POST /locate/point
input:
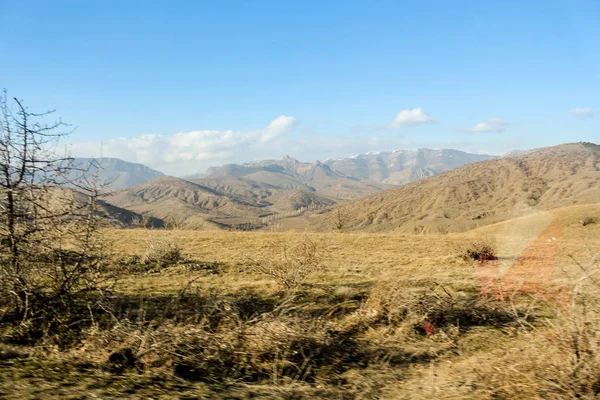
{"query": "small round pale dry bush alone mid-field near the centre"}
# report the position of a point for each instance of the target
(291, 262)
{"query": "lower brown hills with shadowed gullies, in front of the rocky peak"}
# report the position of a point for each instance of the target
(229, 203)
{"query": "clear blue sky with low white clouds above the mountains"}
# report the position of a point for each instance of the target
(181, 85)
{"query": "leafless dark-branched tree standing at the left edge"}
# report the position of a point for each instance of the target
(49, 245)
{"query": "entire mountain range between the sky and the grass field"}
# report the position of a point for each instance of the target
(419, 190)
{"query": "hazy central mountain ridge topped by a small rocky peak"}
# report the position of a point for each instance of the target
(242, 195)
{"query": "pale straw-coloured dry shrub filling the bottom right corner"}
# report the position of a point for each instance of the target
(559, 361)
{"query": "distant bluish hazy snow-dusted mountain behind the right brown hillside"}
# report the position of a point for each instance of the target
(403, 166)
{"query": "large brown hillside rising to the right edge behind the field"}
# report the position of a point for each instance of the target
(481, 193)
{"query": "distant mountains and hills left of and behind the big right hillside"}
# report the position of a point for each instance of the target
(252, 195)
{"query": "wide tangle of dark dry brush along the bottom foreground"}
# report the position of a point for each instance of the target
(225, 344)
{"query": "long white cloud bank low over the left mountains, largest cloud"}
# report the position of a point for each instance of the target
(191, 152)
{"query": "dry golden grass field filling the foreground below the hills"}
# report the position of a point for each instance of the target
(329, 315)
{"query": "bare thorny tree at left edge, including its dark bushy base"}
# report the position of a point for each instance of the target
(53, 264)
